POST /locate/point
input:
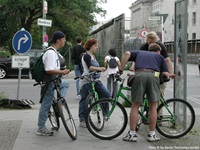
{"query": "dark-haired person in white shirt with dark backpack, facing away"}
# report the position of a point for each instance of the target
(112, 63)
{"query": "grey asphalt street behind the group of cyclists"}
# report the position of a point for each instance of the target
(9, 87)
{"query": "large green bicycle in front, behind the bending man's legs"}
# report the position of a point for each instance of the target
(177, 120)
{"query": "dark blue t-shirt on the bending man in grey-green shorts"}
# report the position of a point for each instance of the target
(148, 60)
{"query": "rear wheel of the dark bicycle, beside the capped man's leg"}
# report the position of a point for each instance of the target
(54, 117)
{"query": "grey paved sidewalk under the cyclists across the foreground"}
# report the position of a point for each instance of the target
(18, 132)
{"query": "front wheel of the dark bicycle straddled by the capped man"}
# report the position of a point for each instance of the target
(67, 118)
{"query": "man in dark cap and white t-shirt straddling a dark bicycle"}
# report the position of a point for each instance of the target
(52, 64)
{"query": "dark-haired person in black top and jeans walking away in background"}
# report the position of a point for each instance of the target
(77, 53)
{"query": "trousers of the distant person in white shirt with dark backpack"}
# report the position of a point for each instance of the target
(112, 85)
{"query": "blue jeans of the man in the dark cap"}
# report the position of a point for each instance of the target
(47, 102)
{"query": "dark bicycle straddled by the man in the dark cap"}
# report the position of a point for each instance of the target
(60, 109)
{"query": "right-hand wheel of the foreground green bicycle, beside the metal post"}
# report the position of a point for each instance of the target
(178, 120)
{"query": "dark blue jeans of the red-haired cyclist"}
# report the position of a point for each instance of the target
(85, 90)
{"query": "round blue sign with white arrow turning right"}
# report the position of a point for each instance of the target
(22, 41)
